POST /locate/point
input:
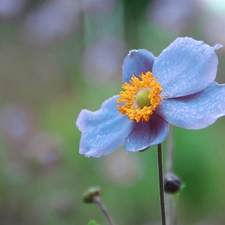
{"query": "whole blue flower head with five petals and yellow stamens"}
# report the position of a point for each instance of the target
(177, 88)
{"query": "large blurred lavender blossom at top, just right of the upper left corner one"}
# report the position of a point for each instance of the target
(52, 20)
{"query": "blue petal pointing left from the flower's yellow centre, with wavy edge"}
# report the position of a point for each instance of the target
(103, 131)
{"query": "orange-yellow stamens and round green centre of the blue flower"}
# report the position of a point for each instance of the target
(140, 97)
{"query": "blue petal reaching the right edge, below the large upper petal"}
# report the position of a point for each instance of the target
(196, 111)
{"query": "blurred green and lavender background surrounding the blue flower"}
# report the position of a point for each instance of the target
(57, 57)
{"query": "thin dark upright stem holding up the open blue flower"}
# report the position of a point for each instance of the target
(161, 190)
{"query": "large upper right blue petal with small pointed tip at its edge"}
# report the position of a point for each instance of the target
(186, 67)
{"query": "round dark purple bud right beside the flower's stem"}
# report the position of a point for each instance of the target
(172, 183)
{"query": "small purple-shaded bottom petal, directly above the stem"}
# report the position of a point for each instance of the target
(146, 134)
